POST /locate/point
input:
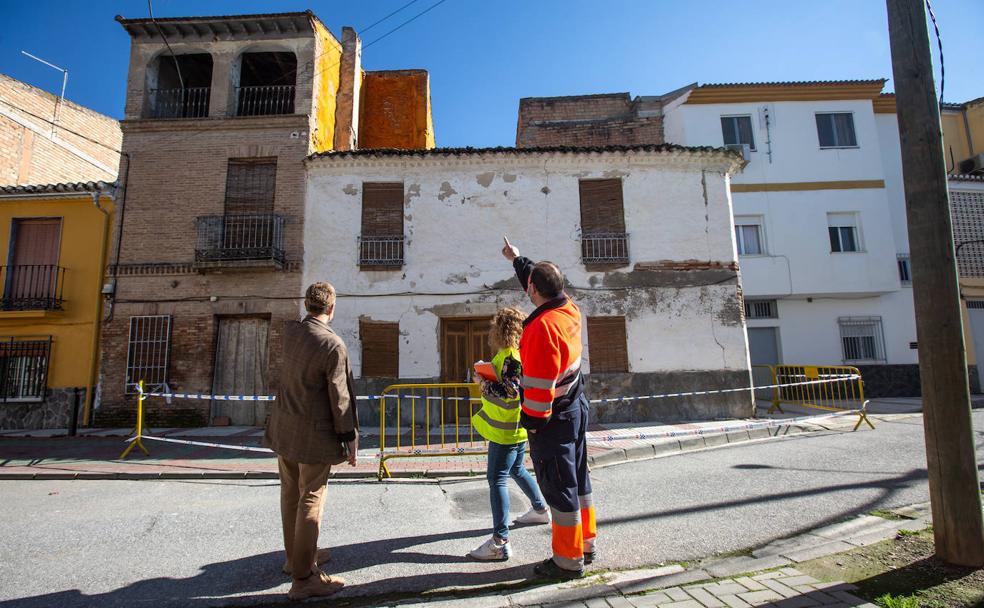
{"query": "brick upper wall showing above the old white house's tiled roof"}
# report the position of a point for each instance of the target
(588, 120)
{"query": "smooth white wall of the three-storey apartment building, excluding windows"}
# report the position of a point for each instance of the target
(813, 286)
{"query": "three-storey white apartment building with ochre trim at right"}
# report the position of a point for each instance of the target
(819, 219)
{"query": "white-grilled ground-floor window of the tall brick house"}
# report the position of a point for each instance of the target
(148, 352)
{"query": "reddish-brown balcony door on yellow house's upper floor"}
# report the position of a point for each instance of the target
(32, 274)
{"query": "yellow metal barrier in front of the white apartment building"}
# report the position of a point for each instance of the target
(833, 388)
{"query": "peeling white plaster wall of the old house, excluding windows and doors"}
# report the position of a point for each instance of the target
(458, 206)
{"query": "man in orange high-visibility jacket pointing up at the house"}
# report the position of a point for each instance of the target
(555, 412)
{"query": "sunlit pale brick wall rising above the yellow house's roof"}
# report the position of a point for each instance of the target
(29, 157)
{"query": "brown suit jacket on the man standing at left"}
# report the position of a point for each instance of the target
(315, 408)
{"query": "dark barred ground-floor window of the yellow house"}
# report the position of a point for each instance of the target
(24, 369)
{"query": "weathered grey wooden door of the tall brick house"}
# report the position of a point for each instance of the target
(241, 369)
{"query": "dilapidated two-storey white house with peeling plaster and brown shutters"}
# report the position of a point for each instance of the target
(411, 241)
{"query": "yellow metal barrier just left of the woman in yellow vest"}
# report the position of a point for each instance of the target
(432, 409)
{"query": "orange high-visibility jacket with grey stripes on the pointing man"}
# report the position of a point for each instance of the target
(551, 353)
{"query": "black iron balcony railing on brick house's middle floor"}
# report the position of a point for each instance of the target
(245, 237)
